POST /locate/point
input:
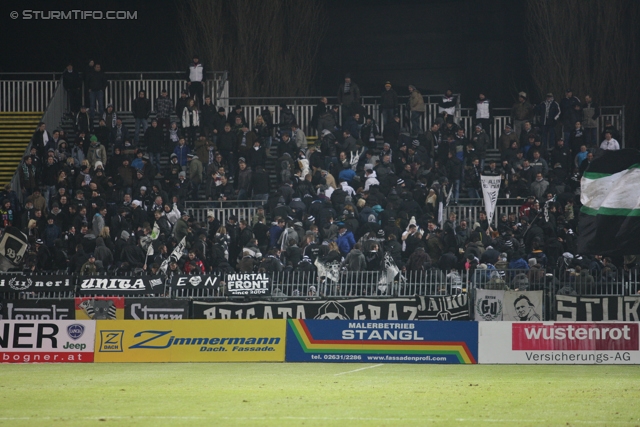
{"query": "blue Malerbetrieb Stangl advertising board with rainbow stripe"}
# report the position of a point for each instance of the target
(381, 341)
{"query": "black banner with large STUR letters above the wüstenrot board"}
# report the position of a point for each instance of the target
(597, 309)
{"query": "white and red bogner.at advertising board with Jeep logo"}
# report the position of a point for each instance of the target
(46, 341)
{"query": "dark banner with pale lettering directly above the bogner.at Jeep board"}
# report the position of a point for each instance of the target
(41, 309)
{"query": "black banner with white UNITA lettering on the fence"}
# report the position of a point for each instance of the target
(131, 285)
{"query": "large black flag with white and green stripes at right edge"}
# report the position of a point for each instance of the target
(610, 214)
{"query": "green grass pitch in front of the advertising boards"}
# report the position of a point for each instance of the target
(275, 394)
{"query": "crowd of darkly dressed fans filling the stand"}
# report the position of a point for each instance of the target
(90, 204)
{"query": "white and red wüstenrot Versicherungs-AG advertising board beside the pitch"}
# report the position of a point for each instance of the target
(561, 343)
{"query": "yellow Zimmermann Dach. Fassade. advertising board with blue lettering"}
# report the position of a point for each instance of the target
(190, 341)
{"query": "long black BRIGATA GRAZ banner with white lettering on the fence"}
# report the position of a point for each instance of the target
(423, 308)
